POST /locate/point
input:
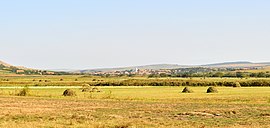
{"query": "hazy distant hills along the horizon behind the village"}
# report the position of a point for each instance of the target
(6, 68)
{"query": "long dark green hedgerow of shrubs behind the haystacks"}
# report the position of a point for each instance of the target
(175, 82)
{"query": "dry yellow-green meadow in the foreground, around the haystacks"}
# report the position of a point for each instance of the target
(120, 107)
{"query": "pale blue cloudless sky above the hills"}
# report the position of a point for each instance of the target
(86, 34)
